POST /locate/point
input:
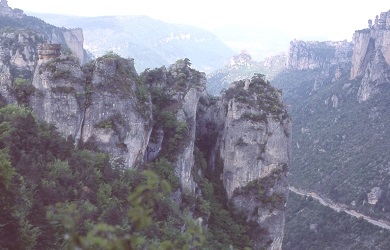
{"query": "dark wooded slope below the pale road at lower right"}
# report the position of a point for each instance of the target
(310, 225)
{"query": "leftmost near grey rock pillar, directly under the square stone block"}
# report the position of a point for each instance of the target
(59, 93)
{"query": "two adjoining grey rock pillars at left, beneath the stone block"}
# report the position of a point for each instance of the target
(98, 106)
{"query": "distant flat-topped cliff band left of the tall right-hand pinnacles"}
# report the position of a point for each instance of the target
(311, 54)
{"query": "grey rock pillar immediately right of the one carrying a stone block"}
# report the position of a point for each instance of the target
(115, 119)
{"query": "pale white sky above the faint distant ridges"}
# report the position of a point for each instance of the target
(329, 19)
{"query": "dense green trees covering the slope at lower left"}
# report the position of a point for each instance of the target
(54, 191)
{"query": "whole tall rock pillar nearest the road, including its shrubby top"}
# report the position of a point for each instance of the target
(253, 144)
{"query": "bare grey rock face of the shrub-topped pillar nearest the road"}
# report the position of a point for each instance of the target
(256, 156)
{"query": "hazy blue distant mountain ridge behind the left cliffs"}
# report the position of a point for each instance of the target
(150, 42)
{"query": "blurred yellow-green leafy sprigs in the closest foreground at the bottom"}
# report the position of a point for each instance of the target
(143, 201)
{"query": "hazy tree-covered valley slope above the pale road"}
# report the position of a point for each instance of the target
(339, 144)
